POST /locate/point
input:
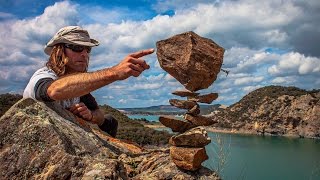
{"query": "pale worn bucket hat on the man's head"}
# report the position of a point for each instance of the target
(70, 35)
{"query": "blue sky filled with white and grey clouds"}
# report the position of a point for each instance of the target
(267, 42)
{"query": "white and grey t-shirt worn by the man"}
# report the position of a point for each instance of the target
(45, 72)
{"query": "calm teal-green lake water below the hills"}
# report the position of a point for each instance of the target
(256, 157)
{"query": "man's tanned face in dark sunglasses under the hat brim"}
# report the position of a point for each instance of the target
(78, 61)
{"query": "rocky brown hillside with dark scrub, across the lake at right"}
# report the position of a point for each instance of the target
(275, 110)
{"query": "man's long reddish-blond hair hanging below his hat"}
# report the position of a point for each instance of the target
(58, 60)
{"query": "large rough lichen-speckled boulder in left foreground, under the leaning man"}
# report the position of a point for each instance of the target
(38, 143)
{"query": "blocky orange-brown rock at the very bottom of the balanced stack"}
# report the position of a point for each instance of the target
(188, 158)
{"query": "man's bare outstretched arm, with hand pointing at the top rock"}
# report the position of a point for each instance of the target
(77, 85)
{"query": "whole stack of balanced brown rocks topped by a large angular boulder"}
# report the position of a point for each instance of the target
(195, 62)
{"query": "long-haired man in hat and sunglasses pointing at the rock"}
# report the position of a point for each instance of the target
(65, 78)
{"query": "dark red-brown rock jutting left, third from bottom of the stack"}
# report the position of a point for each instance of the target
(175, 124)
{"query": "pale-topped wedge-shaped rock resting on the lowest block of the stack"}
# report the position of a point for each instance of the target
(196, 137)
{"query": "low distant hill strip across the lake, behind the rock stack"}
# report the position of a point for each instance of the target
(167, 109)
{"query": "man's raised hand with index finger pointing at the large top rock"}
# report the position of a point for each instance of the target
(132, 65)
